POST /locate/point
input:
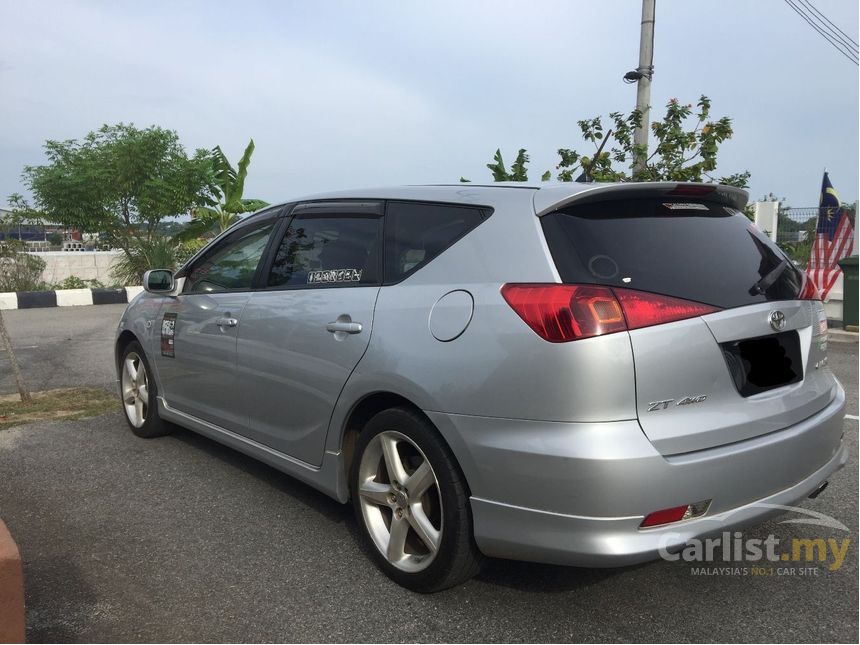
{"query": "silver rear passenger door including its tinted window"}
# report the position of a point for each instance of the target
(305, 330)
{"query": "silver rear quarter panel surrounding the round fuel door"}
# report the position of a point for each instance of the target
(497, 367)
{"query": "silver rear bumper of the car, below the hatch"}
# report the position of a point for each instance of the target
(576, 494)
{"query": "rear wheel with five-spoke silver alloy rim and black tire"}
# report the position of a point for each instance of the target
(388, 513)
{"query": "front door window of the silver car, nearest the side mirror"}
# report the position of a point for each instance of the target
(231, 265)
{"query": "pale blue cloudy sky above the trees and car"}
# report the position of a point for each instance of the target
(340, 95)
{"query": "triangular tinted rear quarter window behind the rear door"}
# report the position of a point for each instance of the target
(416, 233)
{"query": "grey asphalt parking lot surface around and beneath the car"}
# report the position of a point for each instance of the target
(180, 539)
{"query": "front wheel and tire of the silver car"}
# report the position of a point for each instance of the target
(139, 394)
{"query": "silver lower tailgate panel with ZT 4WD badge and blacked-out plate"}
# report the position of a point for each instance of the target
(729, 376)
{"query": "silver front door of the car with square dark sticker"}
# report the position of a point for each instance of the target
(197, 361)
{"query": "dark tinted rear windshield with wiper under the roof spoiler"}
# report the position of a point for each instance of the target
(697, 251)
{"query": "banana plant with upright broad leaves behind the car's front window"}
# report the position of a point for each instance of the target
(230, 185)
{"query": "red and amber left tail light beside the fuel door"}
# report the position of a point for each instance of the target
(560, 313)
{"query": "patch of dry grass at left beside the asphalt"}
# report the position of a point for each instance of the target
(53, 405)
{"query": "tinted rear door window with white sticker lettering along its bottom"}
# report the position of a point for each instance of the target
(327, 251)
